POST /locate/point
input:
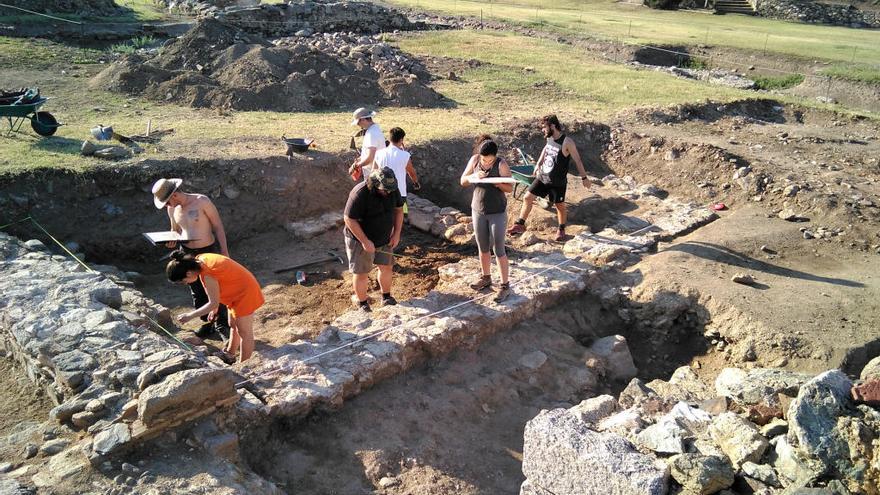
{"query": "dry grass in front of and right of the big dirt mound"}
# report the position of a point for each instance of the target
(523, 78)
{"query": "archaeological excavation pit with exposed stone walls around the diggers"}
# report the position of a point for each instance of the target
(431, 396)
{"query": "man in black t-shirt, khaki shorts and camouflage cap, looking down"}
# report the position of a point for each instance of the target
(373, 222)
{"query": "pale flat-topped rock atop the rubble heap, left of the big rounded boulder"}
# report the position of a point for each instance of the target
(755, 385)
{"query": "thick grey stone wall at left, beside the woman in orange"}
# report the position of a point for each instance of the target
(88, 342)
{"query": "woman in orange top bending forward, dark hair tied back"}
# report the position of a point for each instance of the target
(227, 283)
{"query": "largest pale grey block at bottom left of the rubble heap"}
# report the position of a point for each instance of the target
(563, 455)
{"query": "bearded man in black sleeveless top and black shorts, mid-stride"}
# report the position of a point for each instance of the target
(551, 175)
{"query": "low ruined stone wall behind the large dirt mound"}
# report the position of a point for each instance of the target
(304, 16)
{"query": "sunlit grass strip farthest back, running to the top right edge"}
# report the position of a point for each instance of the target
(636, 24)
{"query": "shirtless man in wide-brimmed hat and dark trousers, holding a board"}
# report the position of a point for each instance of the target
(195, 217)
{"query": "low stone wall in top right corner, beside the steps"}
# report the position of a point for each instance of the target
(818, 13)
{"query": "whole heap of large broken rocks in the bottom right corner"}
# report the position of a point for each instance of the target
(758, 431)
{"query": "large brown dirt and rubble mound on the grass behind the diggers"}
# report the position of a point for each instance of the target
(216, 65)
